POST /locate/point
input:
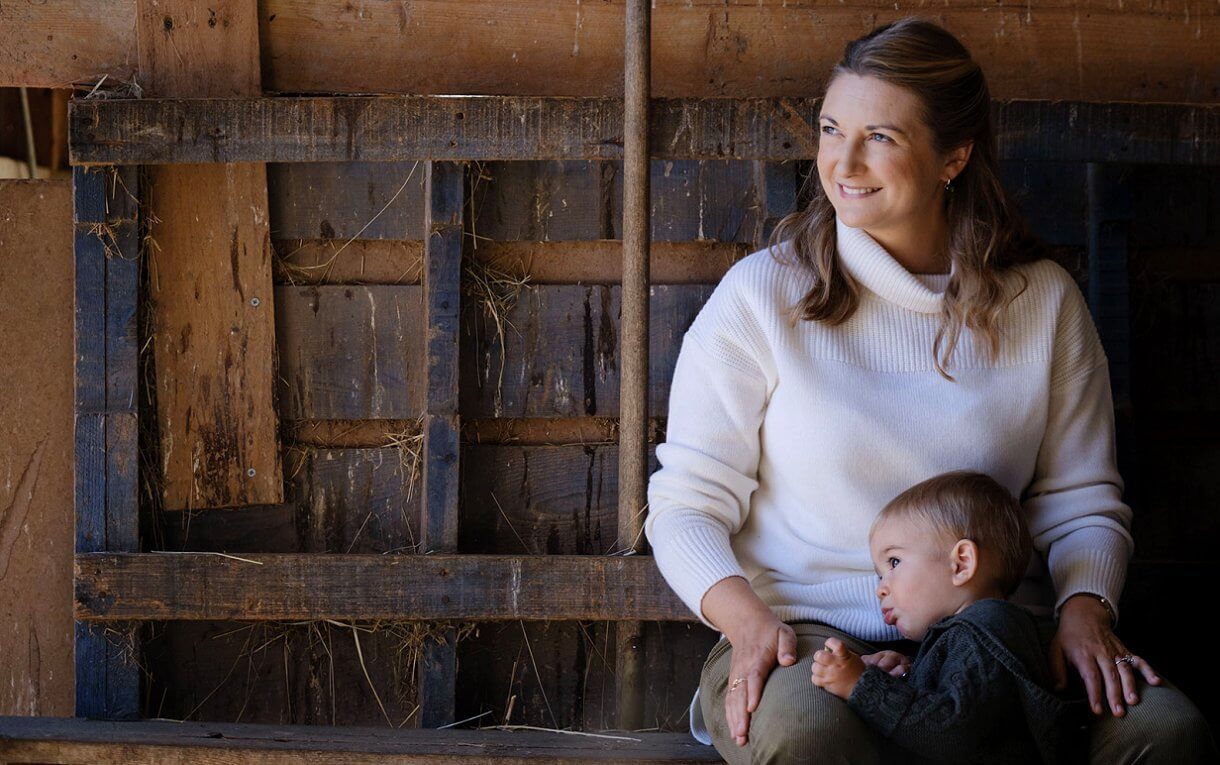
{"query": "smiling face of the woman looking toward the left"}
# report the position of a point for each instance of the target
(870, 137)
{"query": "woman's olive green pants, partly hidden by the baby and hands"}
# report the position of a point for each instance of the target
(800, 723)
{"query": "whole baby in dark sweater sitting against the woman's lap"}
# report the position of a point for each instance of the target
(949, 552)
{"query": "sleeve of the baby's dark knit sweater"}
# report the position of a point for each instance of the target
(950, 720)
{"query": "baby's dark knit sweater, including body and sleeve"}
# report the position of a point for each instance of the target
(977, 692)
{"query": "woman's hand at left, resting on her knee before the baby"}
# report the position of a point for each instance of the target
(759, 641)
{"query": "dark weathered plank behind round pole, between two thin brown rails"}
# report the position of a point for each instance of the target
(559, 357)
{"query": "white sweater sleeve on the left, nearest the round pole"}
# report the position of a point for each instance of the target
(709, 462)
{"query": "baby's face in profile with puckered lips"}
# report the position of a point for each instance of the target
(916, 567)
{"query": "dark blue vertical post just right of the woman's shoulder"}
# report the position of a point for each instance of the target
(1110, 295)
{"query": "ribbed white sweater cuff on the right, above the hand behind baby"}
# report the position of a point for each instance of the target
(1090, 561)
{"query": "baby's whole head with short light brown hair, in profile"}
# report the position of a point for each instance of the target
(945, 544)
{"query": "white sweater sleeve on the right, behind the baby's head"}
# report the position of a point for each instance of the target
(1078, 518)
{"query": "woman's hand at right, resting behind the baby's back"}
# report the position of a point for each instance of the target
(1086, 640)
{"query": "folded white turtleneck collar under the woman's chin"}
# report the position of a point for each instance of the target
(874, 267)
